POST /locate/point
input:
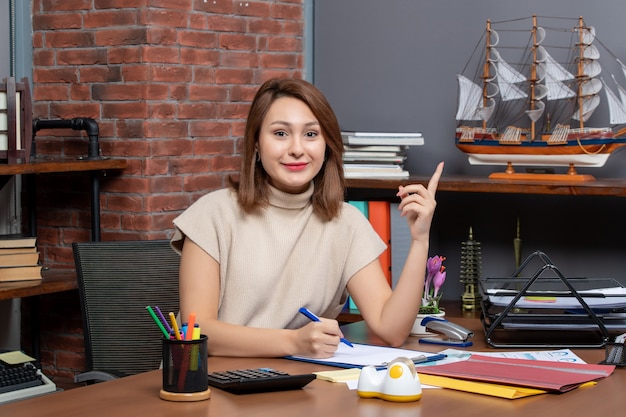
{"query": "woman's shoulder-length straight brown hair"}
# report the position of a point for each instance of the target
(253, 183)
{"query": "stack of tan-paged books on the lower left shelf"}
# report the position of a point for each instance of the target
(19, 258)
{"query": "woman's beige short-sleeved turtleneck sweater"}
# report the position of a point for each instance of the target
(283, 258)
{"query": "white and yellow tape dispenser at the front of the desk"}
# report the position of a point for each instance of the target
(399, 383)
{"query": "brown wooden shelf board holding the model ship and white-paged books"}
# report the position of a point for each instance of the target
(600, 187)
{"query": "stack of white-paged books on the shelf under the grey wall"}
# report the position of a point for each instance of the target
(377, 155)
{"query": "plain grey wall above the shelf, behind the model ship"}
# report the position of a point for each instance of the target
(392, 65)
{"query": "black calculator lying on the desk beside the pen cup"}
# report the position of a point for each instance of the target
(248, 381)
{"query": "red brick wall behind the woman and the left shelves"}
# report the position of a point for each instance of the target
(169, 82)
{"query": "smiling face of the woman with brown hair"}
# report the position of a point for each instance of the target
(291, 145)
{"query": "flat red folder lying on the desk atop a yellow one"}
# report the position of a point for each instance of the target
(546, 375)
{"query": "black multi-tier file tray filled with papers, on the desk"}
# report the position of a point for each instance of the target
(550, 311)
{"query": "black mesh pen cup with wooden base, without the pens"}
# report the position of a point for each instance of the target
(185, 370)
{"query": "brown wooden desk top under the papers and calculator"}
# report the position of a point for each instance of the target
(139, 395)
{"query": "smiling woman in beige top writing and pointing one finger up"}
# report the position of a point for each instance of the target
(281, 237)
